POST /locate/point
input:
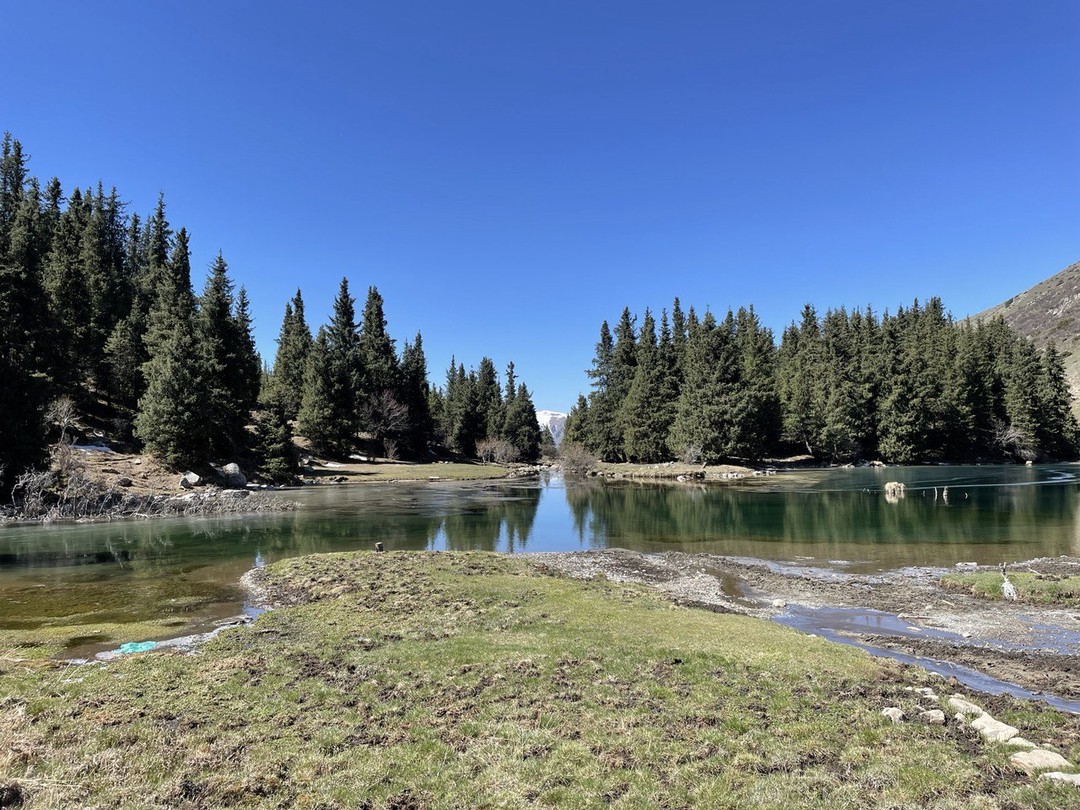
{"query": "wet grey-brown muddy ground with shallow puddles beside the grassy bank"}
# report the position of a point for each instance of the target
(1033, 646)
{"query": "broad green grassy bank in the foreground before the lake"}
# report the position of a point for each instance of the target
(474, 681)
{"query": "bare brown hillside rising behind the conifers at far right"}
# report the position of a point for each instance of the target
(1049, 313)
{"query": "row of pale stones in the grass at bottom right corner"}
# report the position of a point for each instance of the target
(1031, 759)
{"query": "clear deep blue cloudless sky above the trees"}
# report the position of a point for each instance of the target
(510, 174)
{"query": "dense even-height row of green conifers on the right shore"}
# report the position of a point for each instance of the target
(907, 388)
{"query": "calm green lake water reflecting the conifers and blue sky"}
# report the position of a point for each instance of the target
(190, 569)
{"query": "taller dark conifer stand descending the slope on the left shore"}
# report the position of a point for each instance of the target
(98, 307)
